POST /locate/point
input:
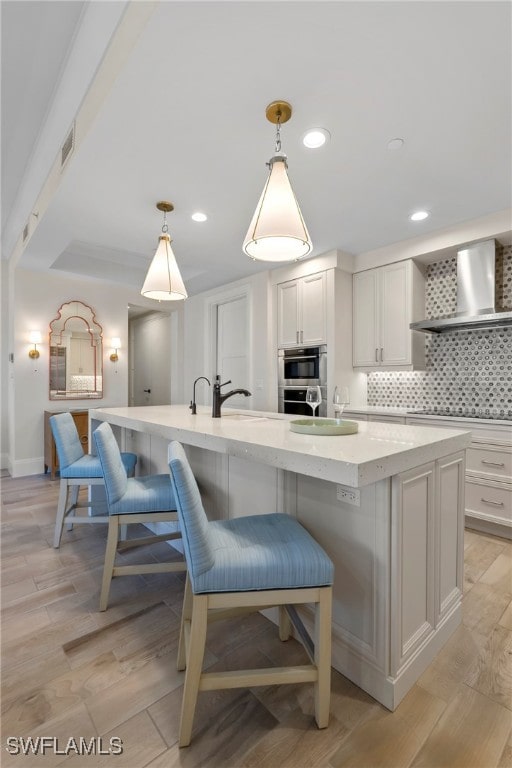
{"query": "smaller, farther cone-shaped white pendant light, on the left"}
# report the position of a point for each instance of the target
(163, 280)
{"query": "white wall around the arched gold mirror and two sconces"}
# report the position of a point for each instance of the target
(37, 297)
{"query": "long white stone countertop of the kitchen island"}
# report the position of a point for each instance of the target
(377, 451)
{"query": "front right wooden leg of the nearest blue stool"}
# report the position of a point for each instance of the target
(323, 656)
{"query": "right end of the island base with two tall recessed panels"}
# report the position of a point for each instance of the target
(427, 528)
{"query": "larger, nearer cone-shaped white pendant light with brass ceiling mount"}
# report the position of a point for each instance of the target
(277, 231)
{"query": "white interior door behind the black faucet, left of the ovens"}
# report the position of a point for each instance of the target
(233, 348)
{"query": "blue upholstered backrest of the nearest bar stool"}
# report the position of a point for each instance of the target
(193, 521)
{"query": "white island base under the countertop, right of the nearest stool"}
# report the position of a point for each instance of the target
(398, 560)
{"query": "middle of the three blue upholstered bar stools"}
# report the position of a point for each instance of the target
(148, 499)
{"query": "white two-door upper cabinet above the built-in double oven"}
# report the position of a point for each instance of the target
(301, 311)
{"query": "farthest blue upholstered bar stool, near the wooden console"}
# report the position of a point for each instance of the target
(77, 469)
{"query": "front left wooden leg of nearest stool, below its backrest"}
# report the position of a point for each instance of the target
(194, 665)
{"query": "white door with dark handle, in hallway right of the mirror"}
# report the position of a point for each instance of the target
(151, 360)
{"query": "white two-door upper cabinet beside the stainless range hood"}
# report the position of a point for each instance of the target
(385, 301)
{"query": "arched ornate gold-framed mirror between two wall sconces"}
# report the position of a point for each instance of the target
(76, 356)
